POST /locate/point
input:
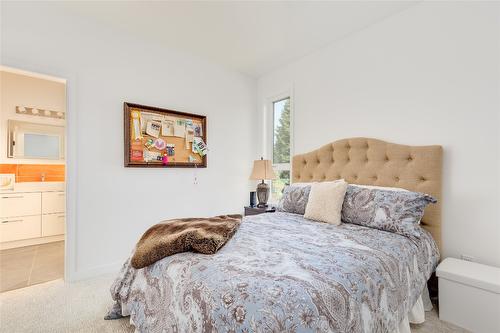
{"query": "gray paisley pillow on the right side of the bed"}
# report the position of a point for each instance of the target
(395, 211)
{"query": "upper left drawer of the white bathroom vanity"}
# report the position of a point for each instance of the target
(20, 204)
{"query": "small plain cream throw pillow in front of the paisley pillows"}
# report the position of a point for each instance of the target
(325, 201)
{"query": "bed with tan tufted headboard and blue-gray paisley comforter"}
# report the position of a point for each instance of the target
(283, 273)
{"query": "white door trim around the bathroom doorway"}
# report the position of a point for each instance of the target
(33, 69)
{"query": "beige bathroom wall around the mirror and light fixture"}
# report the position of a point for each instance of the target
(21, 90)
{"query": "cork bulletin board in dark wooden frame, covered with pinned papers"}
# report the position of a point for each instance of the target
(161, 138)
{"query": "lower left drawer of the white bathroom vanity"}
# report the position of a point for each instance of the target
(17, 228)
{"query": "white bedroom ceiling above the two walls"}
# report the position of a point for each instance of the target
(251, 37)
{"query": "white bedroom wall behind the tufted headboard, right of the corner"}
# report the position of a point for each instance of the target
(428, 75)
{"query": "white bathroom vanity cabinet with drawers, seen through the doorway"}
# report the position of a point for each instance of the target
(32, 215)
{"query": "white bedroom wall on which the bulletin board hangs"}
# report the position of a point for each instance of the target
(104, 68)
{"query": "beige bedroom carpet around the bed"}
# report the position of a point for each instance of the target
(80, 307)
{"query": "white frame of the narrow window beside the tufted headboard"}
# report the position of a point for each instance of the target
(269, 135)
